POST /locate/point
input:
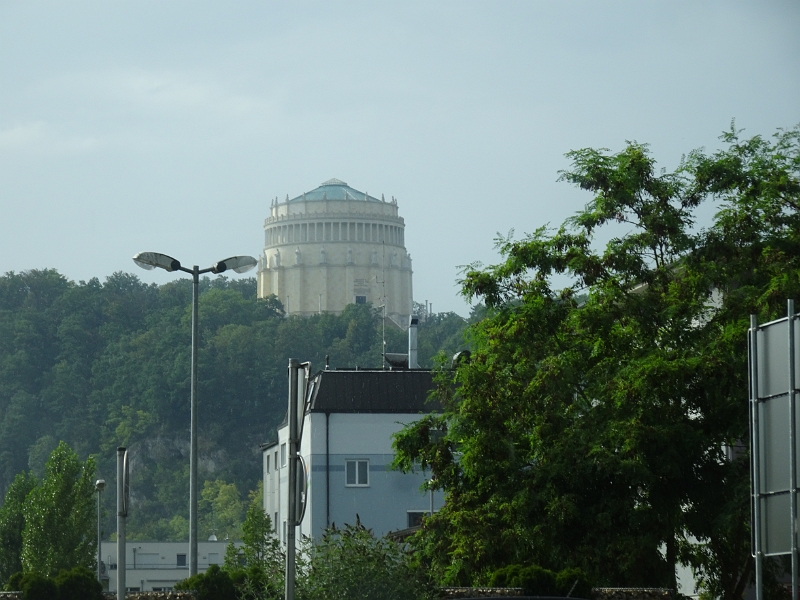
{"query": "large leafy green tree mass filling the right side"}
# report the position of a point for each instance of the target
(602, 420)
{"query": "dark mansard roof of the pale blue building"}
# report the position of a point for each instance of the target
(375, 391)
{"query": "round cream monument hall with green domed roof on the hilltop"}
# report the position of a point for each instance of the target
(335, 246)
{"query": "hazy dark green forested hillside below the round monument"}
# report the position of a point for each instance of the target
(106, 364)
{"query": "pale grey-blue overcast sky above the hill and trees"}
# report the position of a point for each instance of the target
(168, 125)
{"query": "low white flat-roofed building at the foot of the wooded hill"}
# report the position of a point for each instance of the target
(158, 566)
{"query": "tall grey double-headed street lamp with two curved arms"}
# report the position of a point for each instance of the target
(238, 264)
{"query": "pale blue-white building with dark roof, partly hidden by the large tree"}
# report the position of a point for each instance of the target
(347, 449)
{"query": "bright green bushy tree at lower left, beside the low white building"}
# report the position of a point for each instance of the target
(60, 516)
